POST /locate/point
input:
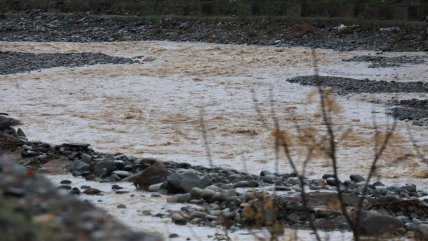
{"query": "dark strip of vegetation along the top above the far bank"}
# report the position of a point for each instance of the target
(373, 9)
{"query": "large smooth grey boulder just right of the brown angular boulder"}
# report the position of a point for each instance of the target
(184, 180)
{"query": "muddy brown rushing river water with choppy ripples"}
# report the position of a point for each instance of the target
(154, 109)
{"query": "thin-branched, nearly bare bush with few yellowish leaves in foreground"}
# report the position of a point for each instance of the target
(322, 142)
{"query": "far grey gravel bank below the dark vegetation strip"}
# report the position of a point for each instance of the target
(37, 26)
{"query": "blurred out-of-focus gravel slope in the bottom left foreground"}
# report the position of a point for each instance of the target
(32, 209)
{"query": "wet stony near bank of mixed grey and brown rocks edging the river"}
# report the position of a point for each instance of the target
(228, 197)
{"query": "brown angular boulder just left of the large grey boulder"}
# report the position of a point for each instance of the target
(155, 173)
